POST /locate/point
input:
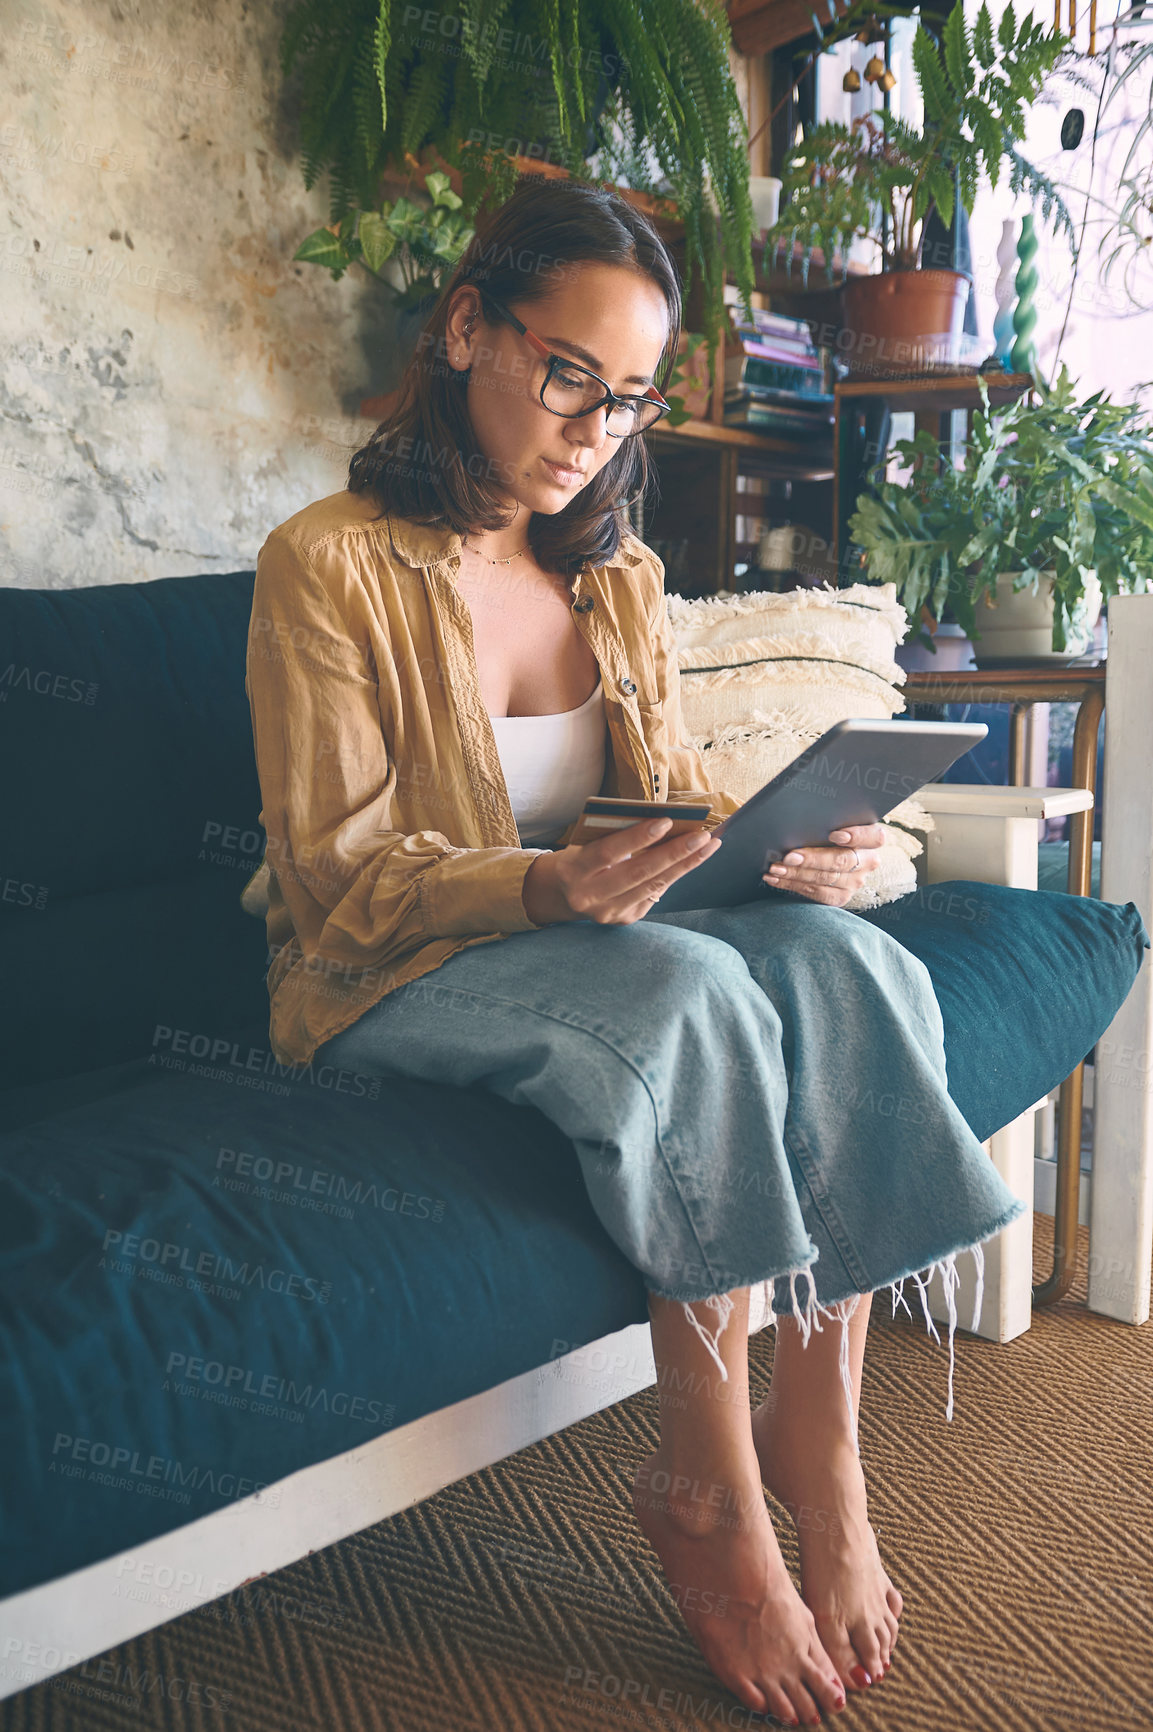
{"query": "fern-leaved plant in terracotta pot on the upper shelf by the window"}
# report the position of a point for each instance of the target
(886, 178)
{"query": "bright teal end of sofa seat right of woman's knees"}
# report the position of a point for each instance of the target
(1027, 981)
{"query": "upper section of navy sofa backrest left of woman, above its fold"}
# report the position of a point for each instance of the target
(126, 737)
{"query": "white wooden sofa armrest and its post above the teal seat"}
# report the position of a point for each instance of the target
(991, 834)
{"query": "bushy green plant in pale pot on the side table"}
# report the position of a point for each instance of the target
(1048, 515)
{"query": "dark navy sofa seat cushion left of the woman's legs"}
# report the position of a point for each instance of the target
(207, 1286)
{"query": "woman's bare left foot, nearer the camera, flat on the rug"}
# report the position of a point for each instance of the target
(726, 1572)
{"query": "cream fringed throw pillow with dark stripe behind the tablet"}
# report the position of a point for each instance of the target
(766, 675)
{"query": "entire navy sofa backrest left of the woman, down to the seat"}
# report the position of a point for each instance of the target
(131, 820)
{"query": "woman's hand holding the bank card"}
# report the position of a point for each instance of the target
(614, 881)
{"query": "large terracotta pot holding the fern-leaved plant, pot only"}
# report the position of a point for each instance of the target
(903, 321)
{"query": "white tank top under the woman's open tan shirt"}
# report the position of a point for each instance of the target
(551, 766)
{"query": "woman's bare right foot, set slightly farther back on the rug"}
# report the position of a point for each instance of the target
(821, 1483)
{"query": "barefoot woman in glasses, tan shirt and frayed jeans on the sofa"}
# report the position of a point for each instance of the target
(446, 661)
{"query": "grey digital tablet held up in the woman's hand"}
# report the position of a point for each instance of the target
(854, 775)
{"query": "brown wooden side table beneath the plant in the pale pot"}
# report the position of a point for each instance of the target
(1021, 688)
